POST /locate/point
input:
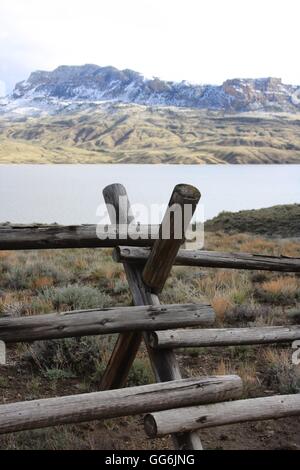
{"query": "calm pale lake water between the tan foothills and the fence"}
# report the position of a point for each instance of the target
(70, 194)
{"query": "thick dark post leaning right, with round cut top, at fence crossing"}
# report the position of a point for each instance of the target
(178, 216)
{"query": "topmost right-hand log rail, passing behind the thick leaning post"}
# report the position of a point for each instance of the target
(214, 259)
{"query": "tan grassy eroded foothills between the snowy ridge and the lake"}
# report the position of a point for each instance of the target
(137, 134)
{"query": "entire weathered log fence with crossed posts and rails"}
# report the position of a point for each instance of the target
(175, 406)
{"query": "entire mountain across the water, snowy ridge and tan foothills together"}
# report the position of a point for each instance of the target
(91, 114)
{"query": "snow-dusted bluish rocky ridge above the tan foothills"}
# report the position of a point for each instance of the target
(69, 87)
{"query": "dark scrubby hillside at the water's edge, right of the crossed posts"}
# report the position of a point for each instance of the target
(277, 221)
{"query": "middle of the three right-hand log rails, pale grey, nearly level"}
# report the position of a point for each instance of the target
(224, 337)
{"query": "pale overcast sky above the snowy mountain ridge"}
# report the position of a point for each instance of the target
(203, 41)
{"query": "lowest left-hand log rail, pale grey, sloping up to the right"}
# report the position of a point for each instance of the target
(110, 404)
